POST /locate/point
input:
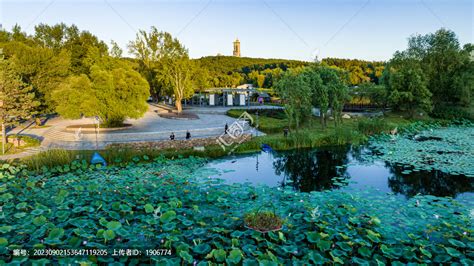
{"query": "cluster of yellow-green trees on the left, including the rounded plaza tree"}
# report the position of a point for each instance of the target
(71, 72)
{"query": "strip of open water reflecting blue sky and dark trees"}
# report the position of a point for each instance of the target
(316, 170)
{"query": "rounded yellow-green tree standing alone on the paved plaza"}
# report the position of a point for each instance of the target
(112, 93)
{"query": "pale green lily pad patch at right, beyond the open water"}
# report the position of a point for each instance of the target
(428, 147)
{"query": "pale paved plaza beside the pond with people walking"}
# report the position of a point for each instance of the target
(151, 127)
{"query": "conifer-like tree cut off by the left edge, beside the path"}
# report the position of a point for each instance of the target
(16, 99)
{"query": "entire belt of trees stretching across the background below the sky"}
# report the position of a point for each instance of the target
(70, 71)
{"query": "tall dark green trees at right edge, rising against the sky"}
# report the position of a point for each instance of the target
(434, 74)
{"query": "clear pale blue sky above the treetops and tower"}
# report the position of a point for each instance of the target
(298, 29)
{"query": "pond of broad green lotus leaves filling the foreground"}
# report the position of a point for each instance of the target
(178, 205)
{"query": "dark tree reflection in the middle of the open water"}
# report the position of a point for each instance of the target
(312, 170)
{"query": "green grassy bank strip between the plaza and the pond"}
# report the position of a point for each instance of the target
(352, 131)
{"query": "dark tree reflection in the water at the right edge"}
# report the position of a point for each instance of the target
(434, 183)
